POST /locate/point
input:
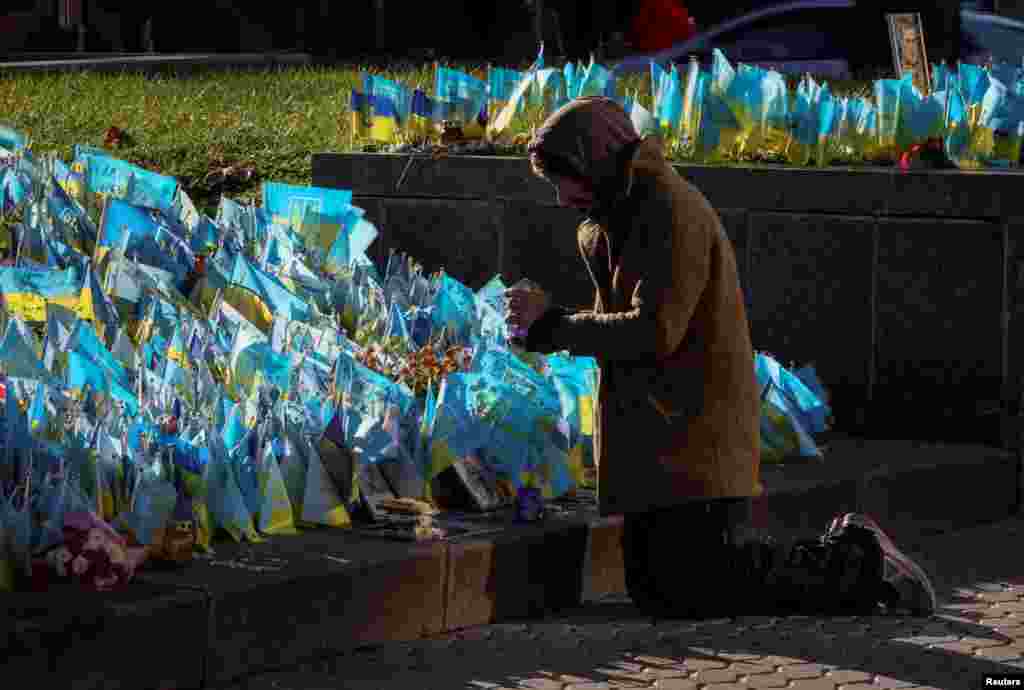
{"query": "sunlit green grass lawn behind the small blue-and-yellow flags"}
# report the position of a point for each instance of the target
(194, 128)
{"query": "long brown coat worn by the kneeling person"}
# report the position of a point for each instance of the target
(677, 413)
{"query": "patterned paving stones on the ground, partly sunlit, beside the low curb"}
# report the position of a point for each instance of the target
(979, 574)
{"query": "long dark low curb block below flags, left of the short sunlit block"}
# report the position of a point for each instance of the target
(317, 593)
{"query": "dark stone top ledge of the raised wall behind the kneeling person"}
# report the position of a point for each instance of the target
(848, 191)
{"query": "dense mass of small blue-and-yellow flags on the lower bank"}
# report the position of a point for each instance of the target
(168, 379)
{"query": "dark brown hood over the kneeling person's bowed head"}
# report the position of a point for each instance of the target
(592, 139)
